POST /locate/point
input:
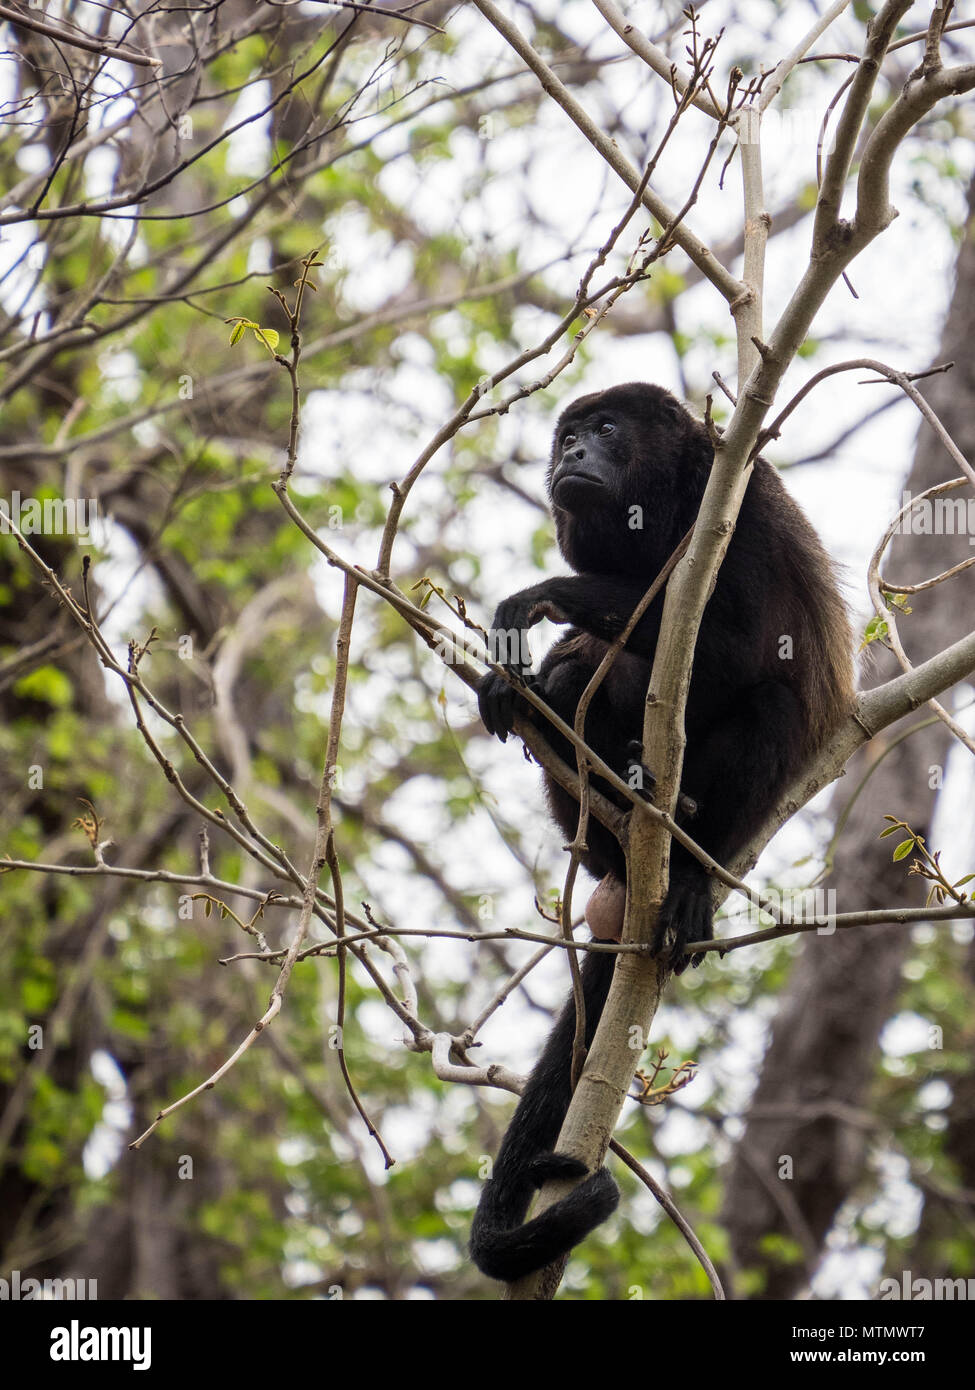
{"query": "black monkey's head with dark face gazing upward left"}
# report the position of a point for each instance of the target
(628, 469)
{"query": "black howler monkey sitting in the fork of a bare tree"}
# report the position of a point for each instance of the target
(773, 675)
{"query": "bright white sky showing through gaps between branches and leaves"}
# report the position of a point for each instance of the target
(903, 283)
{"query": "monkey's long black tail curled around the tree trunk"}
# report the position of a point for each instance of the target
(501, 1245)
